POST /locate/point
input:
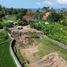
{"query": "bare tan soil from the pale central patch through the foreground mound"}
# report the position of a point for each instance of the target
(50, 60)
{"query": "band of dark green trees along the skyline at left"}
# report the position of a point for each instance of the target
(11, 11)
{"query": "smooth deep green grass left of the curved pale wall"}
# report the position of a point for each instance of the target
(6, 59)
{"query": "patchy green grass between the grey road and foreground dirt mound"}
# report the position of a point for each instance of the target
(47, 47)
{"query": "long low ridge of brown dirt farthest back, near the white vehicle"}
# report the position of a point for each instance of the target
(27, 31)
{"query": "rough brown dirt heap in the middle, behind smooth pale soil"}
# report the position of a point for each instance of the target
(26, 41)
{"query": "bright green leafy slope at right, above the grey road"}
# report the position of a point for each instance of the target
(54, 30)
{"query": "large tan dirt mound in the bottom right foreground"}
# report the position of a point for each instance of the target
(50, 60)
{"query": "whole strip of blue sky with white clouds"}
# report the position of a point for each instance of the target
(34, 3)
